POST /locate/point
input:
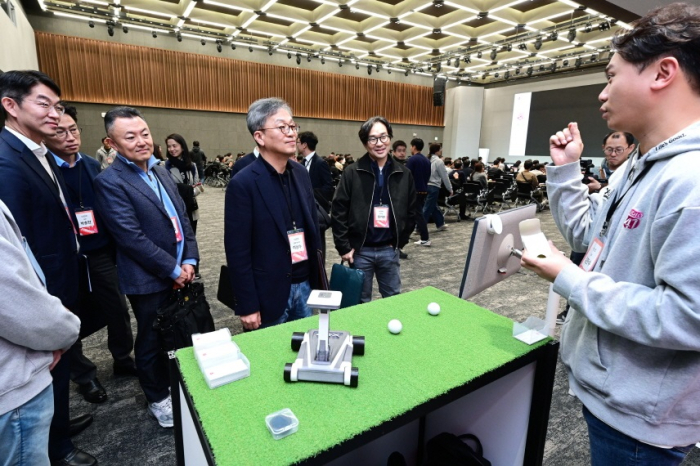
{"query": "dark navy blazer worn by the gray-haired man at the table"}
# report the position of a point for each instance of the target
(257, 246)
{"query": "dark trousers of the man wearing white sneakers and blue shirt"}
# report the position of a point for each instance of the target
(151, 362)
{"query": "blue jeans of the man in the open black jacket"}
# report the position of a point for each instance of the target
(384, 262)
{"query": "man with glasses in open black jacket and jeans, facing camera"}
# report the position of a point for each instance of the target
(374, 210)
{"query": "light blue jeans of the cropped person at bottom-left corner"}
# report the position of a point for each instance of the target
(24, 432)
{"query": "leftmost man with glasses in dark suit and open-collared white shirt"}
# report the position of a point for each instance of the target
(35, 193)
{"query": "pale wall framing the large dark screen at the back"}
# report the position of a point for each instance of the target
(498, 111)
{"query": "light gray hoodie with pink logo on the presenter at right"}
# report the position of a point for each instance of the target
(631, 342)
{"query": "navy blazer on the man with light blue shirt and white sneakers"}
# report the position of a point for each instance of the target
(141, 227)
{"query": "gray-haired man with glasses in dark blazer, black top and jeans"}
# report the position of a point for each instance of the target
(271, 231)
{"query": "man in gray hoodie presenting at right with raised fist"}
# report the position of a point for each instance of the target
(631, 343)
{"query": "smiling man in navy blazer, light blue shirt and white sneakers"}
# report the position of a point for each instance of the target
(156, 247)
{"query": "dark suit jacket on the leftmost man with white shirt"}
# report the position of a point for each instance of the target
(32, 197)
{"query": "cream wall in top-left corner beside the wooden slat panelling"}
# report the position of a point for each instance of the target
(17, 49)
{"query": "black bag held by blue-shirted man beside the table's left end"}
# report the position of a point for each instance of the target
(184, 313)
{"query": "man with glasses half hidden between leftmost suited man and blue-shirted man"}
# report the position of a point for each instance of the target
(99, 286)
